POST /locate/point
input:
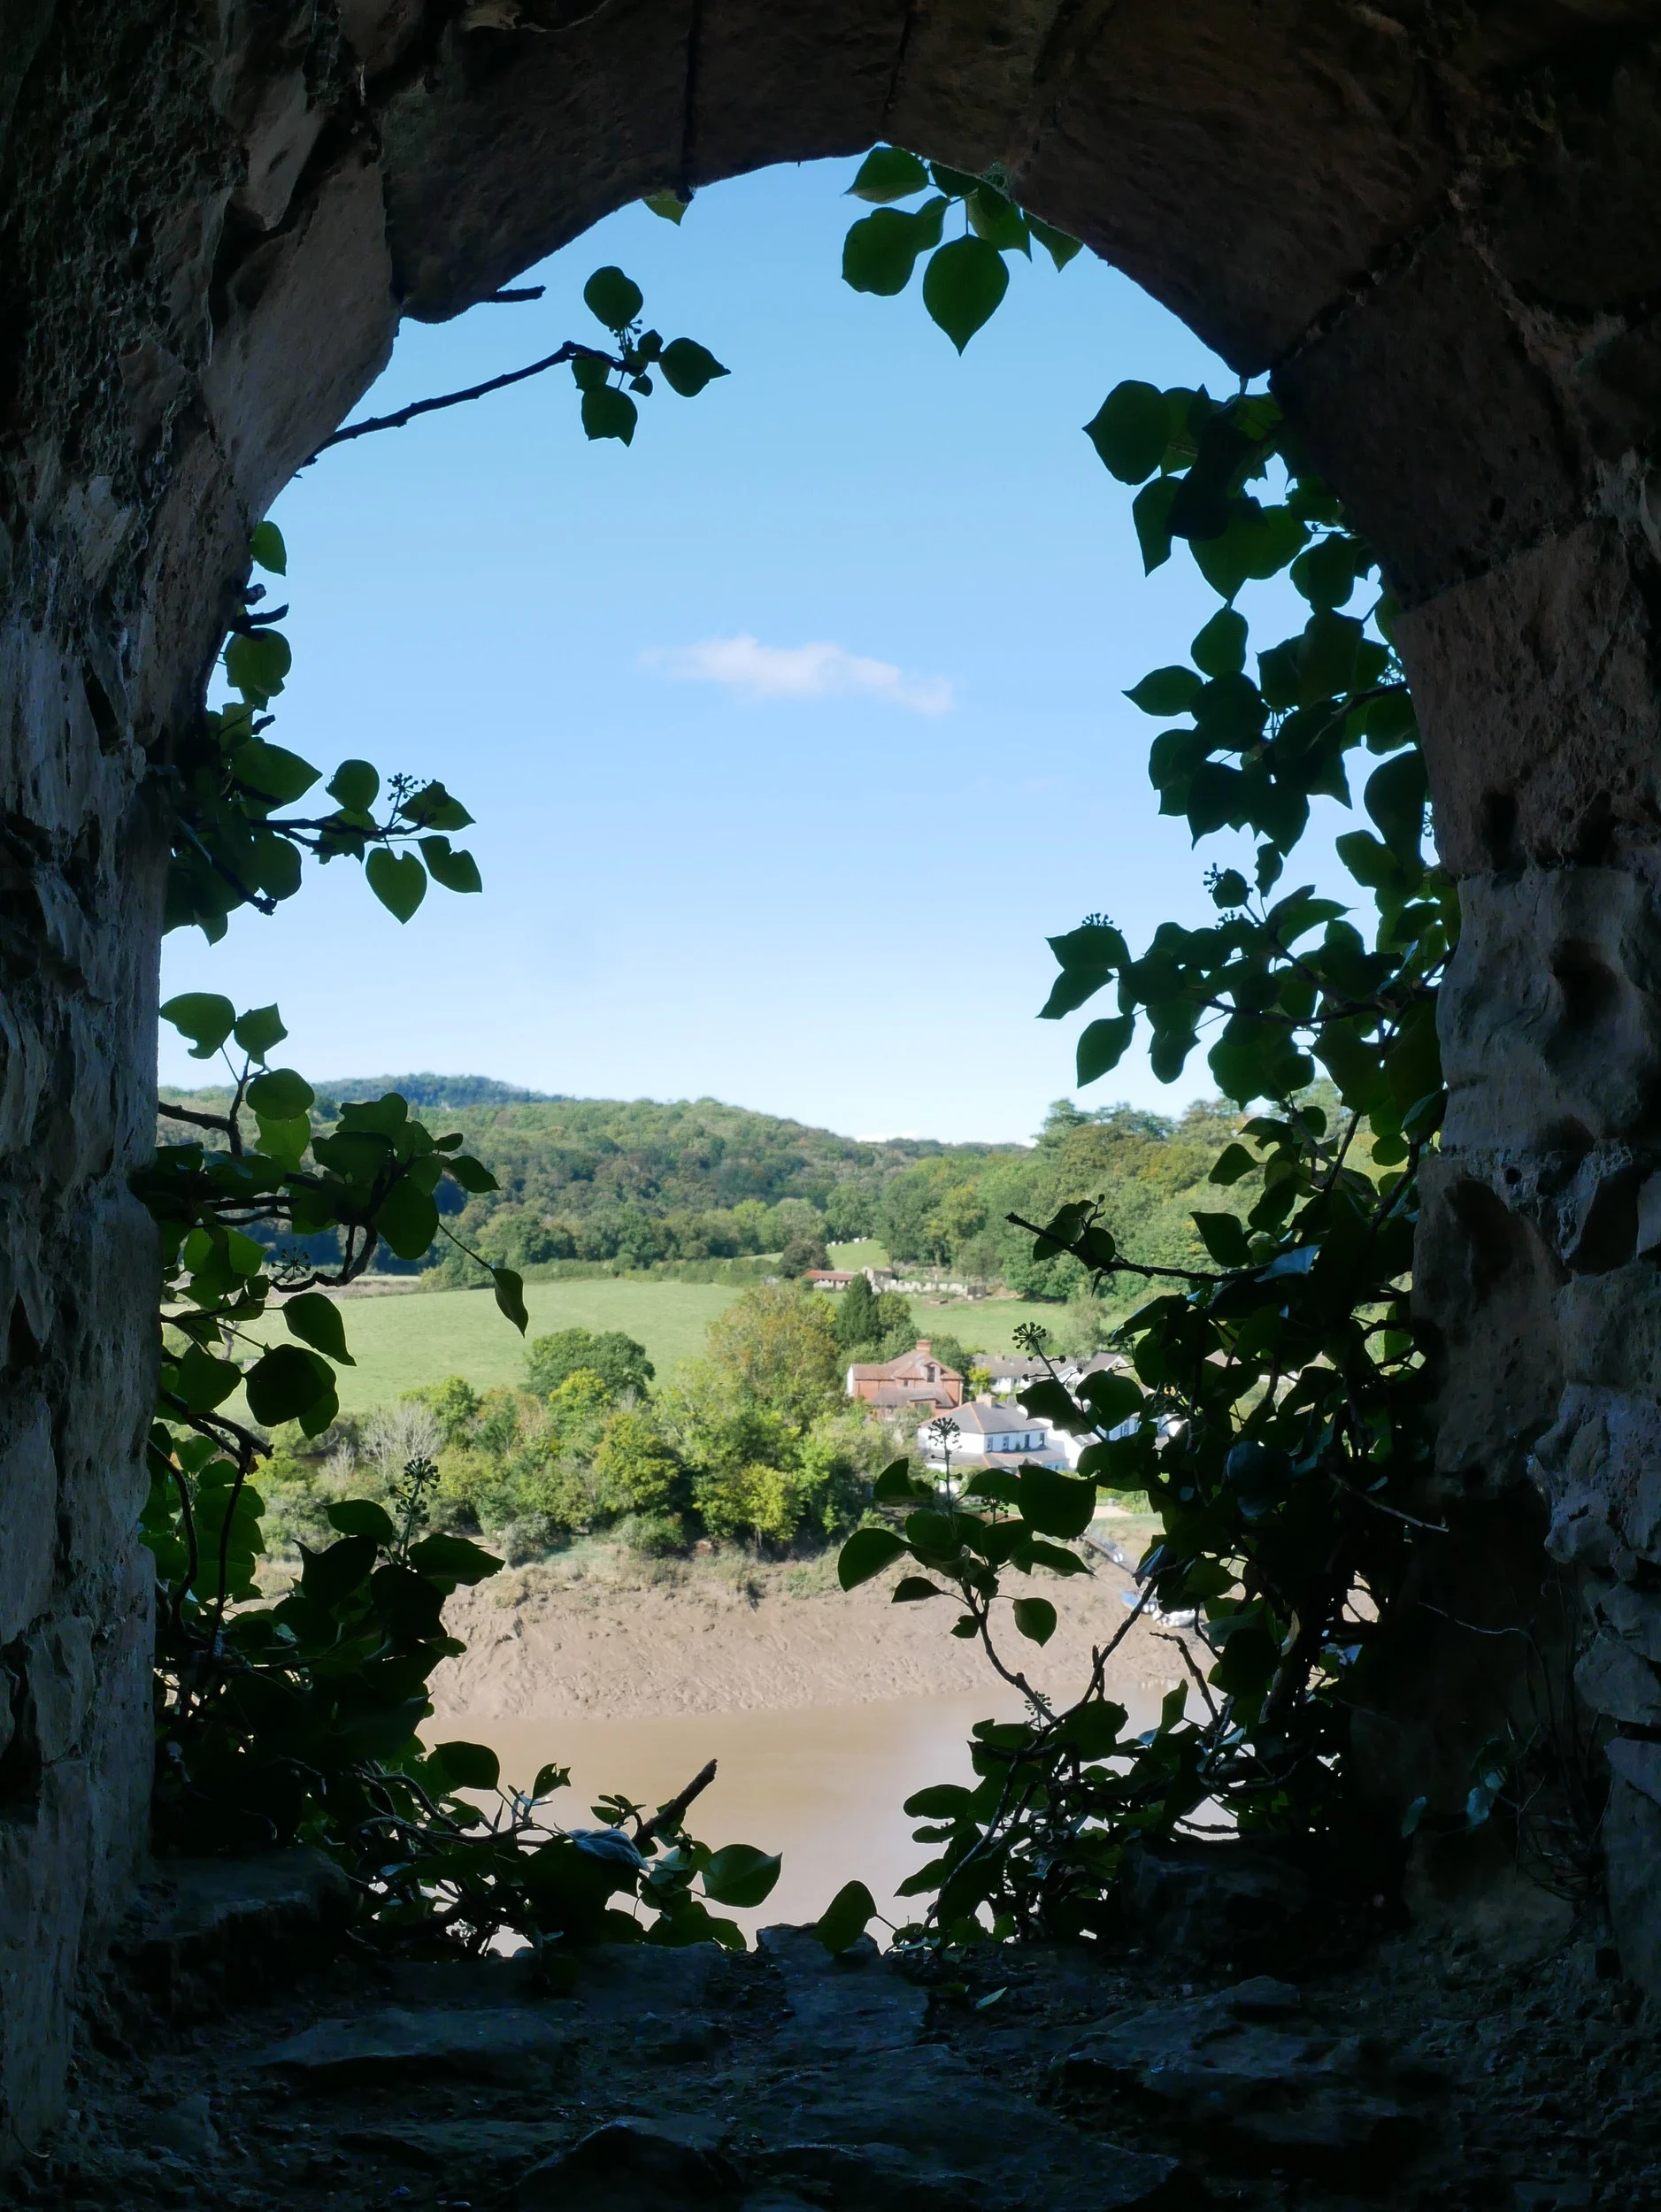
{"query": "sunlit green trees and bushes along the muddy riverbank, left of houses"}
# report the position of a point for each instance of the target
(753, 1443)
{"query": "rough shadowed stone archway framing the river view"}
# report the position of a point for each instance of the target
(1441, 233)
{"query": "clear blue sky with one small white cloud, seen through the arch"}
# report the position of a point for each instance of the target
(791, 731)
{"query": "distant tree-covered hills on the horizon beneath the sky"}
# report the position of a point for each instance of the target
(634, 1185)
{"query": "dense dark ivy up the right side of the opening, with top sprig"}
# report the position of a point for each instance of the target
(1275, 1404)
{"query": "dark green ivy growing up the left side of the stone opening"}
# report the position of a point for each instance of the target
(297, 1720)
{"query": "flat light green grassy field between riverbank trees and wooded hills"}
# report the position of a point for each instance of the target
(406, 1339)
